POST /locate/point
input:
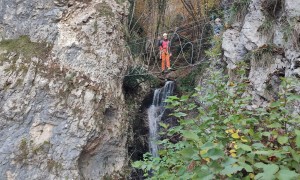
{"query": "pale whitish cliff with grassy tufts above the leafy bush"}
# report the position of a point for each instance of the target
(267, 38)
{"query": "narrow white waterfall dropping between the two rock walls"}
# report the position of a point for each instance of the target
(155, 113)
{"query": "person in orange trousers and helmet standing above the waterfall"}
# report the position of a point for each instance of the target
(165, 53)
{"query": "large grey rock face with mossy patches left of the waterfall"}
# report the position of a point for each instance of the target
(62, 108)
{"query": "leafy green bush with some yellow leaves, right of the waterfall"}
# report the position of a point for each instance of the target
(228, 138)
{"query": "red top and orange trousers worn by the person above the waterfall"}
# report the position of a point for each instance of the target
(165, 54)
